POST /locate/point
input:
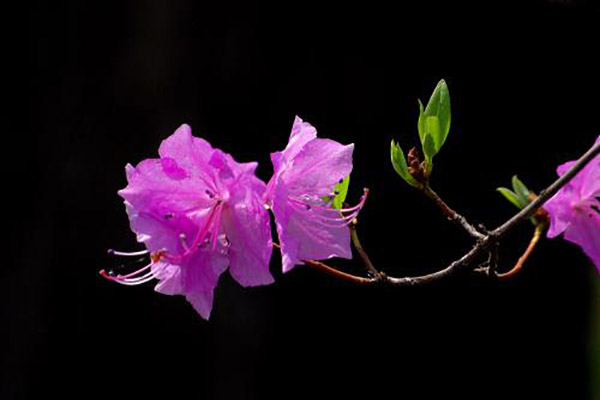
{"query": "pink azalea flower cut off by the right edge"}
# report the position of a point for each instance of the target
(575, 209)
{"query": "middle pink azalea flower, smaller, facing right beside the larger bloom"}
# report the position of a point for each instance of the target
(300, 194)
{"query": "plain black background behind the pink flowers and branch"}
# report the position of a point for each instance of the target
(106, 83)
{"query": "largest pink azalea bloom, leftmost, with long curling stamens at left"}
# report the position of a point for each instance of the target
(198, 212)
